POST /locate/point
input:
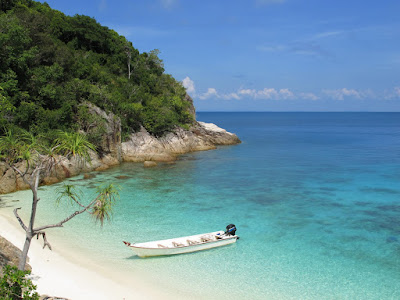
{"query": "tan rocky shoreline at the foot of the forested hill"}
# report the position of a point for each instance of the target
(139, 148)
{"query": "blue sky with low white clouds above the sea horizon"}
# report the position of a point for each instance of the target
(266, 55)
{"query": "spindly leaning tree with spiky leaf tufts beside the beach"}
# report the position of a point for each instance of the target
(31, 157)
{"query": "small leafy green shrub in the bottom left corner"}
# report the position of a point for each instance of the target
(15, 285)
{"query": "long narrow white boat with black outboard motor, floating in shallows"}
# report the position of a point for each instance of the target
(185, 244)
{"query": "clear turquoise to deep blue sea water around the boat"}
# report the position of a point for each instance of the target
(315, 198)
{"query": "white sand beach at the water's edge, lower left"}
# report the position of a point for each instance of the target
(56, 275)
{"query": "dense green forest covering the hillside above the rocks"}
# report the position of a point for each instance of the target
(51, 63)
